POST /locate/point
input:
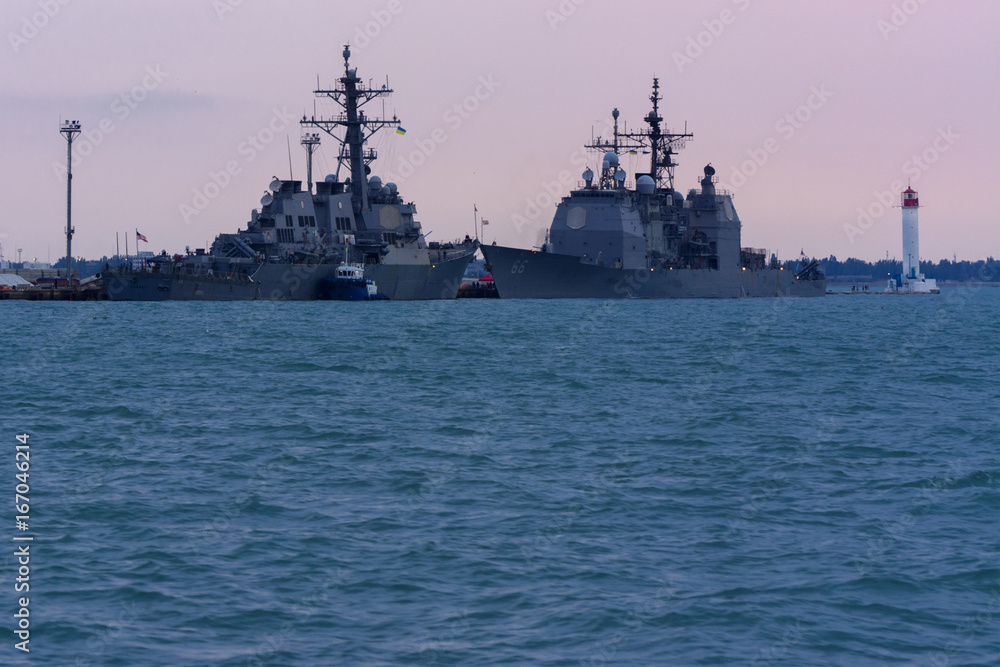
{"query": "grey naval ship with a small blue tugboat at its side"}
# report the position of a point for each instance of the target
(299, 237)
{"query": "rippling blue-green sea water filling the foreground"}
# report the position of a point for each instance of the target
(497, 483)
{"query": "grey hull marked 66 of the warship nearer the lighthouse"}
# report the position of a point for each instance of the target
(528, 274)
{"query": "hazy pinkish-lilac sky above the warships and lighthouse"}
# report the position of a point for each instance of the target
(814, 115)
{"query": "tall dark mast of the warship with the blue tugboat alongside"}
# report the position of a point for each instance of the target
(351, 95)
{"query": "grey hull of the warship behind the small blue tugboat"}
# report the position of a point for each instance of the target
(288, 282)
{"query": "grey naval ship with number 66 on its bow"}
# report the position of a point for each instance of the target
(609, 241)
